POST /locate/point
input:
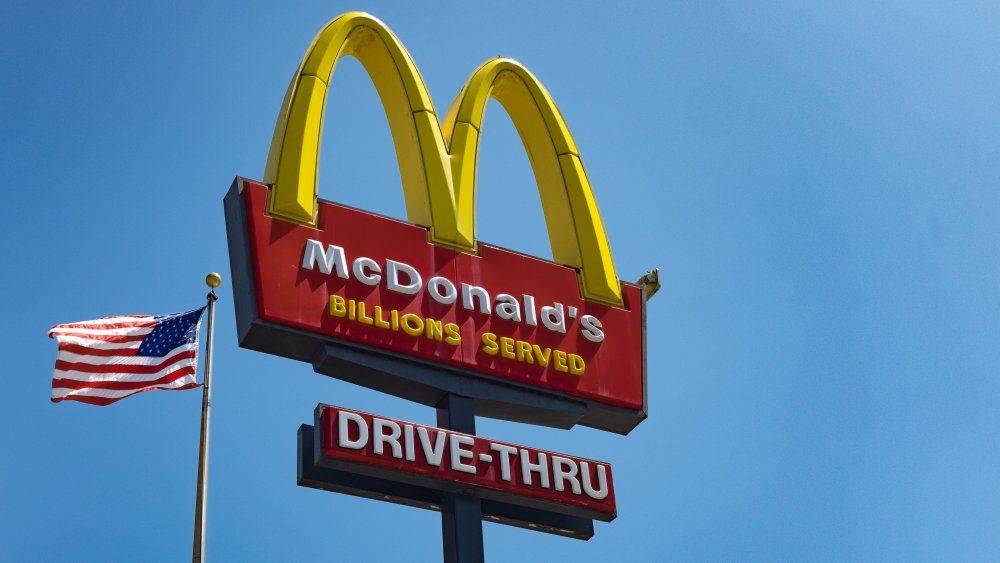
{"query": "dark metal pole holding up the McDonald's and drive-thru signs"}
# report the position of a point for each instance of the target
(461, 514)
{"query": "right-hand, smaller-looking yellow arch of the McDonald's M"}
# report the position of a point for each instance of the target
(576, 232)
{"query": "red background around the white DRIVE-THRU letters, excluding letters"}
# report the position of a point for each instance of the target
(487, 474)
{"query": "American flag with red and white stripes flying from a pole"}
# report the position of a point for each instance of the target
(104, 360)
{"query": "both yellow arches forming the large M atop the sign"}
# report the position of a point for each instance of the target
(438, 178)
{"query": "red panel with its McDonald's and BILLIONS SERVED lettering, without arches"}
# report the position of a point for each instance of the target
(375, 281)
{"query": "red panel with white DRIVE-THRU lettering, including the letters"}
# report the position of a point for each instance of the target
(441, 458)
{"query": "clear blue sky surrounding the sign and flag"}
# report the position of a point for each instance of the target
(819, 182)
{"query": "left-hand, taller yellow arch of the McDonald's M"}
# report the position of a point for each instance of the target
(293, 161)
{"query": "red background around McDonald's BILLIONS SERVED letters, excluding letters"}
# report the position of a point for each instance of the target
(290, 295)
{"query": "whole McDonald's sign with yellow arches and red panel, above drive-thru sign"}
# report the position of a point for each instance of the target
(419, 308)
